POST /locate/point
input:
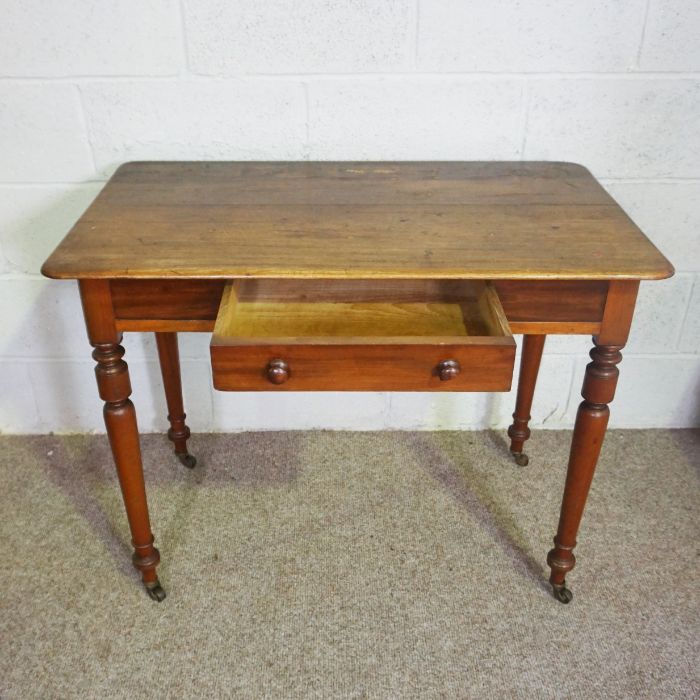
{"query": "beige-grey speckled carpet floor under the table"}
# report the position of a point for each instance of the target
(350, 565)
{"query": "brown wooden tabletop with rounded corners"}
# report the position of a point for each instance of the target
(361, 220)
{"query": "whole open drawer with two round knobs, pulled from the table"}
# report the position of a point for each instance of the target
(361, 335)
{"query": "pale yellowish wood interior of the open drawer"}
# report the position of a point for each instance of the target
(359, 311)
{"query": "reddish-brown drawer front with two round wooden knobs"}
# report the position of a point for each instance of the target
(363, 367)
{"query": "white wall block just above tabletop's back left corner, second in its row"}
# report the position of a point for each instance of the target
(222, 120)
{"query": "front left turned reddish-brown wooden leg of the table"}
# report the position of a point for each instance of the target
(120, 420)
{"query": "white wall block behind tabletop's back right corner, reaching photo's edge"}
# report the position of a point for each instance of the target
(619, 127)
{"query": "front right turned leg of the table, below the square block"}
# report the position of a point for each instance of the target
(591, 422)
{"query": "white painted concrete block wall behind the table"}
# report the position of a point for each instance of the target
(85, 86)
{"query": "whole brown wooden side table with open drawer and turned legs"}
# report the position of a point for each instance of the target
(357, 276)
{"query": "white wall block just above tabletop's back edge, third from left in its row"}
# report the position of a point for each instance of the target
(415, 118)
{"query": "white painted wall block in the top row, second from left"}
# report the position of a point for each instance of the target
(288, 36)
